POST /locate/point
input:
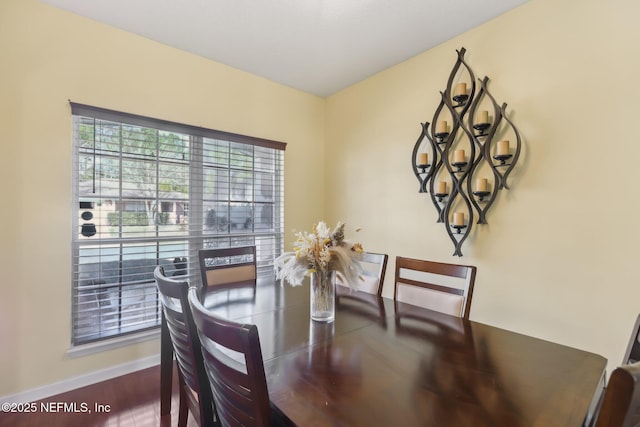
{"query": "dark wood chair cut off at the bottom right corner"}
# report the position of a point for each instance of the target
(621, 403)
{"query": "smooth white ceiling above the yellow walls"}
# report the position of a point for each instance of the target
(317, 46)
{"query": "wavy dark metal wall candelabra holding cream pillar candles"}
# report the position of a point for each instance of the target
(466, 159)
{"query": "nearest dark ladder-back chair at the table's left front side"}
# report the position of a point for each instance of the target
(233, 361)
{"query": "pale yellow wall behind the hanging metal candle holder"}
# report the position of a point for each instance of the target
(559, 257)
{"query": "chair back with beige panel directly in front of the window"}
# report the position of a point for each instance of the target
(228, 266)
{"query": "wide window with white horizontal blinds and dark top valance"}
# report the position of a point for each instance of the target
(150, 192)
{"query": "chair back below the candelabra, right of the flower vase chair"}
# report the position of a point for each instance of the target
(437, 286)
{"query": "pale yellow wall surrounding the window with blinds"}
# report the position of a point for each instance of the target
(48, 57)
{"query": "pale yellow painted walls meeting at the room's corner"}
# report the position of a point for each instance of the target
(557, 260)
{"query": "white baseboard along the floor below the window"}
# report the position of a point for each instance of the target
(81, 380)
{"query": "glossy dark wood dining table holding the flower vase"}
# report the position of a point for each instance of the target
(383, 364)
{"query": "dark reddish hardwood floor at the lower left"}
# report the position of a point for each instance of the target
(129, 400)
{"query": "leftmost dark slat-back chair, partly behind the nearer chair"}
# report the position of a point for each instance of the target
(195, 391)
